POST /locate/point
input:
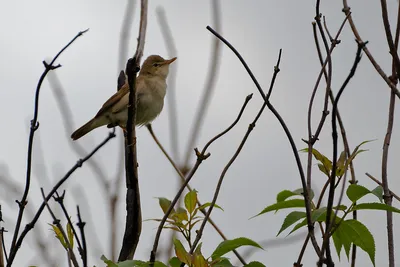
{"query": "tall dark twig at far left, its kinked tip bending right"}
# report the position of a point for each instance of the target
(34, 126)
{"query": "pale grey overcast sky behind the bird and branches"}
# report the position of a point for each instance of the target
(36, 30)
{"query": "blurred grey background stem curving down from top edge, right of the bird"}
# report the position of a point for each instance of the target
(213, 71)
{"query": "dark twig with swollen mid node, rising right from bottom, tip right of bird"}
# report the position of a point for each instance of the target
(201, 156)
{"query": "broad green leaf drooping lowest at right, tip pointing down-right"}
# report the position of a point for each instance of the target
(359, 234)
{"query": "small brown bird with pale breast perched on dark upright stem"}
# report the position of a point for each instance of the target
(151, 88)
